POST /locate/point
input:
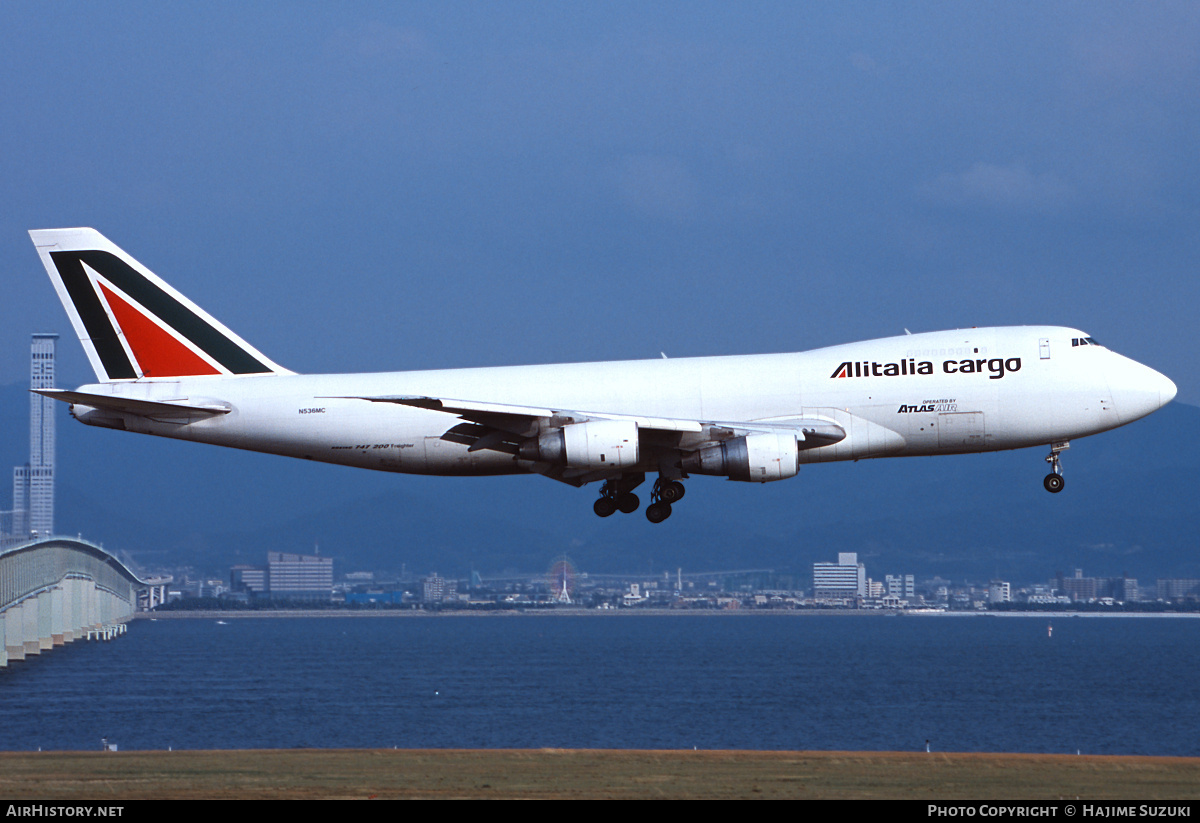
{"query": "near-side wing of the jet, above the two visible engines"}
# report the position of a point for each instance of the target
(505, 428)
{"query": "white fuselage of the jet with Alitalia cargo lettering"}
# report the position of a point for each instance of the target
(927, 394)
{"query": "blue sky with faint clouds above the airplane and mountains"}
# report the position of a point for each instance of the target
(388, 187)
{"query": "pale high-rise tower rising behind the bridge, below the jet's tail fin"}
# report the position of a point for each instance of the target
(33, 485)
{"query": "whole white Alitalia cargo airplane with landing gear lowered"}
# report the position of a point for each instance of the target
(166, 368)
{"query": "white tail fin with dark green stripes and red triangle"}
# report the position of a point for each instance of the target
(131, 323)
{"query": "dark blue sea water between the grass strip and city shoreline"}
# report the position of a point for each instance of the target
(764, 681)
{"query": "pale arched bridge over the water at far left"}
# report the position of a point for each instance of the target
(61, 590)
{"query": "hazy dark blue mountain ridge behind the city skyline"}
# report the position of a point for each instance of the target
(1126, 509)
